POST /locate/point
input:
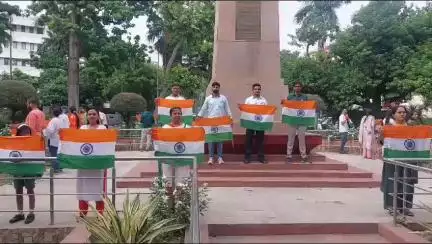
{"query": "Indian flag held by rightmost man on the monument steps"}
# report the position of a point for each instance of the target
(299, 113)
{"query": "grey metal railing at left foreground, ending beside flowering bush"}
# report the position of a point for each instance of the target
(194, 211)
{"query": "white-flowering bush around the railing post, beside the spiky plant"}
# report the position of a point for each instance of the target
(177, 205)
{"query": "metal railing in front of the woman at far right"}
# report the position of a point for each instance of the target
(406, 187)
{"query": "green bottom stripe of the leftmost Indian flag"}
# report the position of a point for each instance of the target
(22, 169)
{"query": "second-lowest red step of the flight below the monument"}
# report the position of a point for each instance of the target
(223, 172)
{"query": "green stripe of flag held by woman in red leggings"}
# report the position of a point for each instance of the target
(85, 162)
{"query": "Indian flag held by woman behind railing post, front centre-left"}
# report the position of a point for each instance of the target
(179, 142)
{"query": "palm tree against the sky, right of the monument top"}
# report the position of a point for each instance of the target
(318, 21)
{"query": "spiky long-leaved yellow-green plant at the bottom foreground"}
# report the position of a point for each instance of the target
(138, 223)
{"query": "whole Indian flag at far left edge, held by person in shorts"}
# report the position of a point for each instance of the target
(22, 147)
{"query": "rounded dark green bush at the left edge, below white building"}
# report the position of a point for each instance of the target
(15, 94)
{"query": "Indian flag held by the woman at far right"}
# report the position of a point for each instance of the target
(407, 141)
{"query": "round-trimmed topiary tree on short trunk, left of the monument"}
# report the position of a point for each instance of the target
(128, 103)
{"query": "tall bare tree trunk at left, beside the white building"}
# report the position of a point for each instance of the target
(73, 66)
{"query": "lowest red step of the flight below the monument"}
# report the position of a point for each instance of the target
(266, 182)
